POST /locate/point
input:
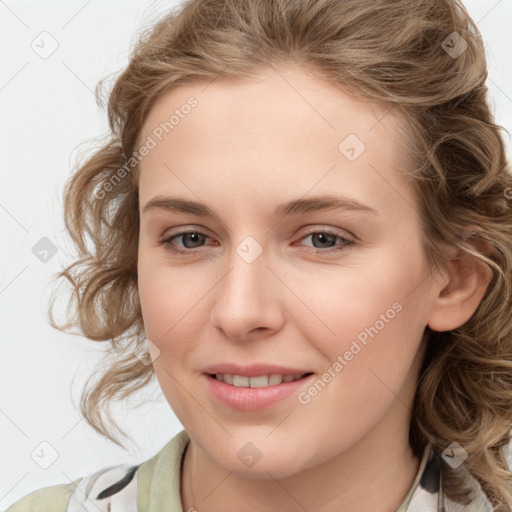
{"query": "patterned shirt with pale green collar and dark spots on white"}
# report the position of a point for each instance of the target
(154, 486)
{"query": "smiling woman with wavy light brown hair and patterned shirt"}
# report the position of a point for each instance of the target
(370, 373)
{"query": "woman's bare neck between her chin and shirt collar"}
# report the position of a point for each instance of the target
(375, 474)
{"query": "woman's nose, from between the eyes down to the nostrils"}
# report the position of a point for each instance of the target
(248, 300)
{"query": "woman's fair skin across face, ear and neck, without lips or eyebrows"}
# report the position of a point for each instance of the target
(245, 148)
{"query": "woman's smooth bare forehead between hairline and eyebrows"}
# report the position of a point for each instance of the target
(283, 130)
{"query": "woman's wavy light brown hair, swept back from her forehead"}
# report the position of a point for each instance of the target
(392, 51)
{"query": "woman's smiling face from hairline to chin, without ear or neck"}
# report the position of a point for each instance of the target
(336, 291)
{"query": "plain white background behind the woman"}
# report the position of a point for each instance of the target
(47, 109)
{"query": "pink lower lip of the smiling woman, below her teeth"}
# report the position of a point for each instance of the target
(253, 399)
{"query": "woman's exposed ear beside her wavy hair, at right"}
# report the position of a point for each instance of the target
(462, 287)
